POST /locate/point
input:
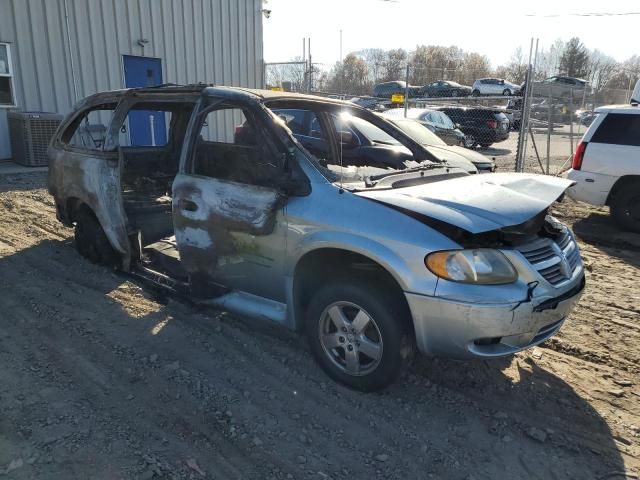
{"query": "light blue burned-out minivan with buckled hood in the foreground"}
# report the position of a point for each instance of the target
(371, 263)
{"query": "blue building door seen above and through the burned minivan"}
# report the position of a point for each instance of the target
(146, 128)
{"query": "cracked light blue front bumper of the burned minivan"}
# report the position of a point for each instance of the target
(470, 330)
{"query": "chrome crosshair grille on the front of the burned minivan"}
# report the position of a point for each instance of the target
(556, 260)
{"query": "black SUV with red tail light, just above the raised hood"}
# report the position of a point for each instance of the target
(481, 126)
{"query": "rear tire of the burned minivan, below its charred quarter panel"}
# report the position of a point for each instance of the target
(91, 241)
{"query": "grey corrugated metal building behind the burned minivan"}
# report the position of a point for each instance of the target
(54, 52)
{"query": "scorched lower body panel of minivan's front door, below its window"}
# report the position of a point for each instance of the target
(224, 229)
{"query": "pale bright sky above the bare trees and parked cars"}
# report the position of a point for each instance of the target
(492, 28)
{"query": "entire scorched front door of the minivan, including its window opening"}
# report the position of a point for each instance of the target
(227, 205)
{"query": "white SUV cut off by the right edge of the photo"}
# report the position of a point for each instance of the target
(606, 164)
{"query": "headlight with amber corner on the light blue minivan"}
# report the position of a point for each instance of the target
(479, 265)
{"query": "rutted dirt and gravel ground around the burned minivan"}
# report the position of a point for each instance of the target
(101, 378)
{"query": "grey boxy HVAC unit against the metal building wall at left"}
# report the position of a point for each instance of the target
(30, 134)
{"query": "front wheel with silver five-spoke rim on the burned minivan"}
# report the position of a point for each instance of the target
(359, 334)
